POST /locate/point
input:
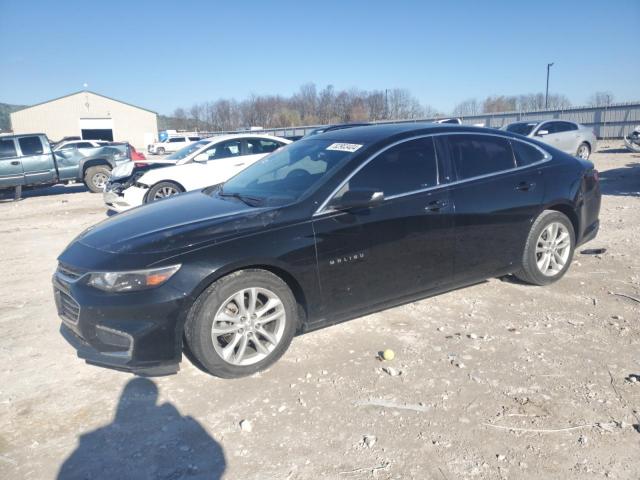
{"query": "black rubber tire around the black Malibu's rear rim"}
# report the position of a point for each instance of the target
(530, 272)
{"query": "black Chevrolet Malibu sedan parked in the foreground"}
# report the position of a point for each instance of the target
(325, 229)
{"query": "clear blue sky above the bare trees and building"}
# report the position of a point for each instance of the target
(162, 55)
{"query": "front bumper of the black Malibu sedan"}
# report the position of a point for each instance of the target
(138, 332)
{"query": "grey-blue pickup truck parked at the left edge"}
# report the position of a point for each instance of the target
(27, 160)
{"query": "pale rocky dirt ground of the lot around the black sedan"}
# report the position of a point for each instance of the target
(500, 380)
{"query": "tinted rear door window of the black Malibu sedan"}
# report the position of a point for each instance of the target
(478, 155)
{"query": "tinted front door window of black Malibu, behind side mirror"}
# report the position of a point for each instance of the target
(407, 167)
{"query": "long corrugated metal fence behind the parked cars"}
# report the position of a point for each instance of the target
(613, 121)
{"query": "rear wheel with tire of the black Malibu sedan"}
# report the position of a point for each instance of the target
(549, 249)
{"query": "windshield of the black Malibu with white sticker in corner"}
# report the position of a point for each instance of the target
(289, 173)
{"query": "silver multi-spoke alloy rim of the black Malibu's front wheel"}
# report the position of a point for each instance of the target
(248, 326)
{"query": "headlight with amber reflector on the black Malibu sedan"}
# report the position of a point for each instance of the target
(133, 280)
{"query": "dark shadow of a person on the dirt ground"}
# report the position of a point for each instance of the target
(145, 440)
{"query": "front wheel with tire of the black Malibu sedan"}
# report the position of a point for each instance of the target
(241, 324)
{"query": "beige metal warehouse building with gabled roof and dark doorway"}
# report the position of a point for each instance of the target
(88, 115)
